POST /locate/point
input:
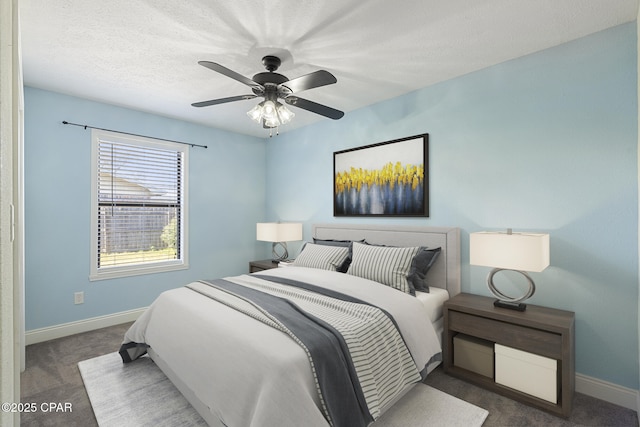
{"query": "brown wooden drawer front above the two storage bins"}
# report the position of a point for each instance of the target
(524, 338)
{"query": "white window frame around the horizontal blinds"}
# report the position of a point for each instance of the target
(97, 136)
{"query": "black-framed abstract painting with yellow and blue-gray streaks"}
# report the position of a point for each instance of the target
(385, 179)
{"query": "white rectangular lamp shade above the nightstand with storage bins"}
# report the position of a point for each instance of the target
(516, 251)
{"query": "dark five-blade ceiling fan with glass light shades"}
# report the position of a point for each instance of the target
(273, 86)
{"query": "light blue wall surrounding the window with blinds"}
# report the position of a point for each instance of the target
(226, 199)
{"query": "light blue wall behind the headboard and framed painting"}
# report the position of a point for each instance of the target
(546, 142)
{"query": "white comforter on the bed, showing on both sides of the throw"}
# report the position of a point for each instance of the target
(249, 374)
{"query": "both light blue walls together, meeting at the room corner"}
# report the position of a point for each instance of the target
(547, 142)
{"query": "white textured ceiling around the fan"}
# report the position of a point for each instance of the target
(143, 54)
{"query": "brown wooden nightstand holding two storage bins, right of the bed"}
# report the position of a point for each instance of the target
(538, 333)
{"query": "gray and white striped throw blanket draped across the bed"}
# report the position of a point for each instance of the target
(358, 357)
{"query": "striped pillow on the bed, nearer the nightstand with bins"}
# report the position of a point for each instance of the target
(387, 265)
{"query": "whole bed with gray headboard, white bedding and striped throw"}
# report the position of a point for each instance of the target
(242, 357)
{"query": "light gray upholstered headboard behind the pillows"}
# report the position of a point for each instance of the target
(445, 273)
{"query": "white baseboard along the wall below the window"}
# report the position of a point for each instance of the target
(58, 331)
